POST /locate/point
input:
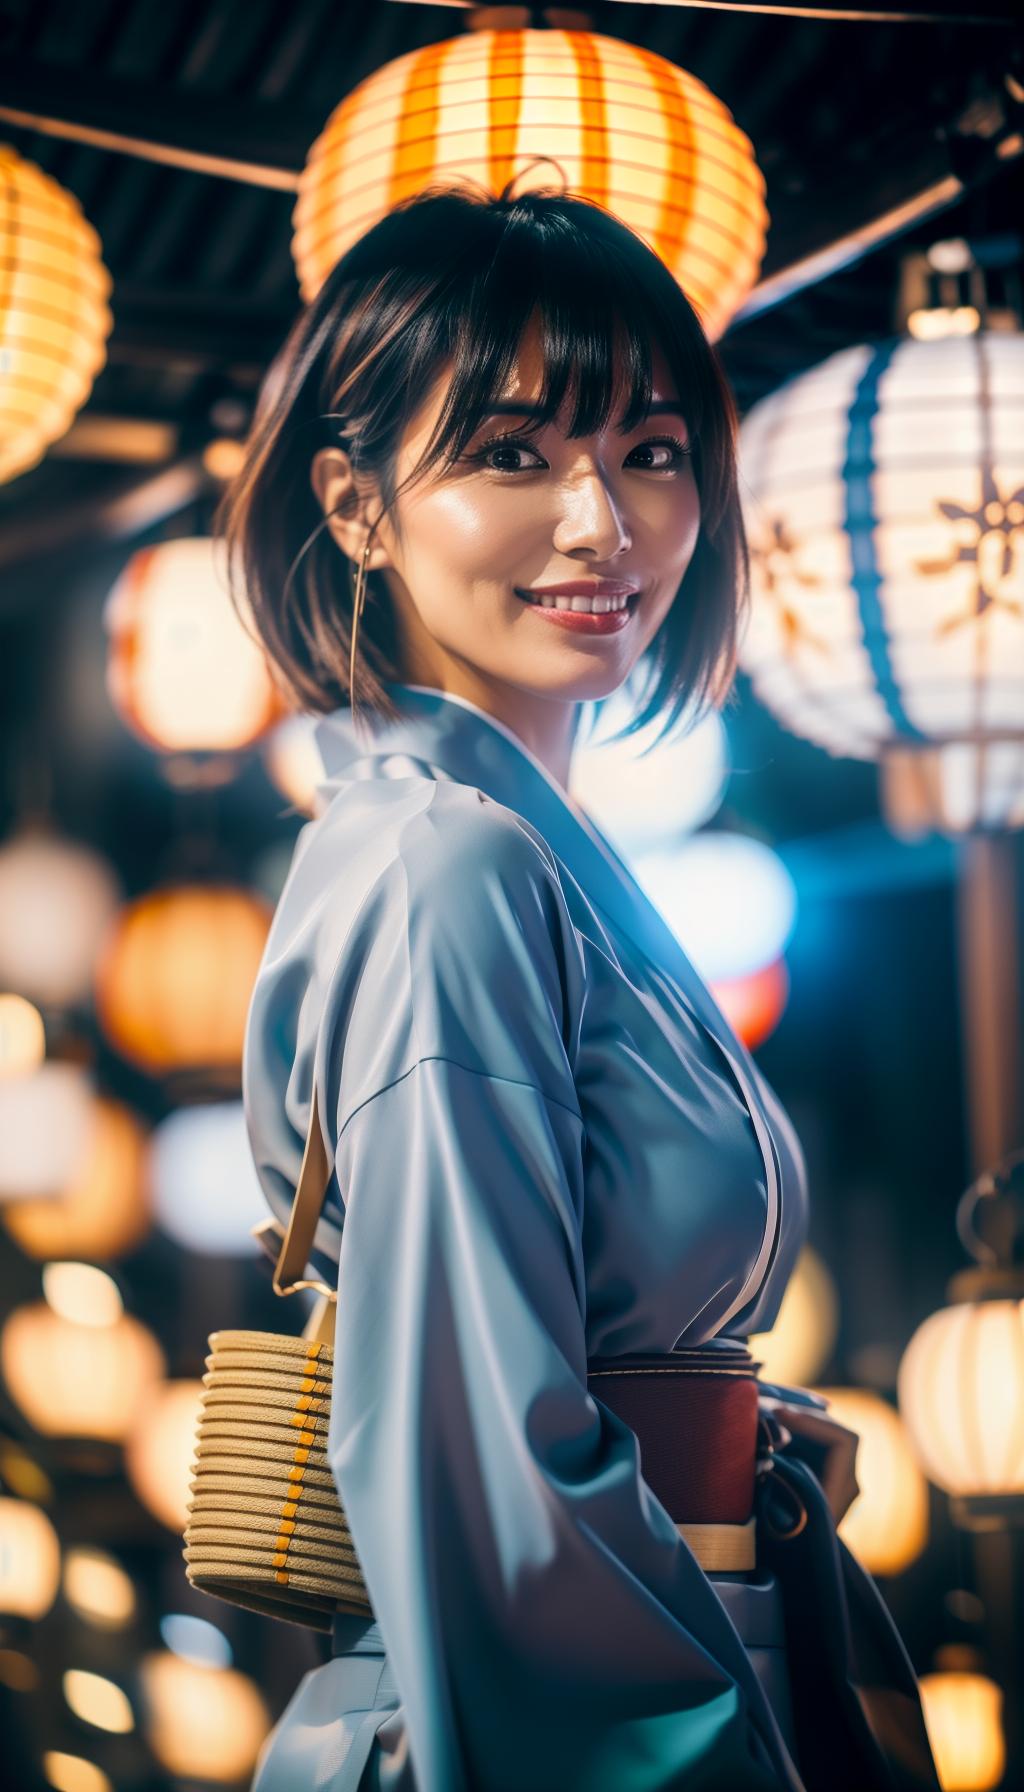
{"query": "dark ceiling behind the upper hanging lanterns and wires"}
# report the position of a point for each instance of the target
(849, 119)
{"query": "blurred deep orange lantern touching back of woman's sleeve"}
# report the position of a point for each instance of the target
(177, 976)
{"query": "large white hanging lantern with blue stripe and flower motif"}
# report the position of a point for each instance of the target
(885, 508)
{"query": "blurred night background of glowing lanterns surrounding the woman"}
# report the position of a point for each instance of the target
(838, 189)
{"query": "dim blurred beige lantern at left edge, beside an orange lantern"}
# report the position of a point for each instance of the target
(56, 902)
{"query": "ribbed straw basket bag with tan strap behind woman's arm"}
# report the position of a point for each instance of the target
(266, 1528)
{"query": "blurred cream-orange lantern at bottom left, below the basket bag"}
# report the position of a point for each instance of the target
(204, 1723)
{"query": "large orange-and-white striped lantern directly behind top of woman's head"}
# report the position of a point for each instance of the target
(632, 132)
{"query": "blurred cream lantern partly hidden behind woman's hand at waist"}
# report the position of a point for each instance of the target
(887, 1526)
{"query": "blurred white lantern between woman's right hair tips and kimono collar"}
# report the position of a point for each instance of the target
(645, 795)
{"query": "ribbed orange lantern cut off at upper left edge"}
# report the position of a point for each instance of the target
(55, 316)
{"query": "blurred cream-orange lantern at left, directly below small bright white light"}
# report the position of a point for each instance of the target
(74, 1381)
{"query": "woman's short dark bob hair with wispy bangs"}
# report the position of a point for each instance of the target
(451, 279)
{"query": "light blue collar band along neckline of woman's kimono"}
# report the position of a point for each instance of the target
(474, 748)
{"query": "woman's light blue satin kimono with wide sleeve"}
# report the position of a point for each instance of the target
(548, 1146)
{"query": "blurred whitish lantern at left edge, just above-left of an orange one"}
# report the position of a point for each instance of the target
(46, 1128)
